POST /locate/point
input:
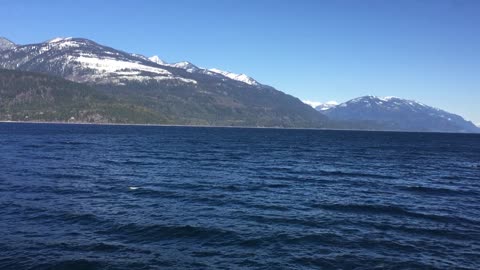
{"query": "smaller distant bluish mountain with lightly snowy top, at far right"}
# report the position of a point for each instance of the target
(399, 114)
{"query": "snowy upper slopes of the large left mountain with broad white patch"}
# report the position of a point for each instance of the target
(83, 60)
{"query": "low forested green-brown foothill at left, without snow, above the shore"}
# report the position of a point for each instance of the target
(27, 96)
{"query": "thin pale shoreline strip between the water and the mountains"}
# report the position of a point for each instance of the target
(234, 127)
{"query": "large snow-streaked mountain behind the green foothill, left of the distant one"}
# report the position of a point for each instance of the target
(181, 92)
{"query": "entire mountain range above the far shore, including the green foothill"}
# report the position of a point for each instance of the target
(79, 80)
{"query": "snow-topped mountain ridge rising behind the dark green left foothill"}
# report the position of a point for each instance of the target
(186, 94)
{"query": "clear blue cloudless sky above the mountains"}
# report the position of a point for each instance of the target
(427, 50)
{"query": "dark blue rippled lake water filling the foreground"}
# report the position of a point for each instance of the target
(132, 197)
